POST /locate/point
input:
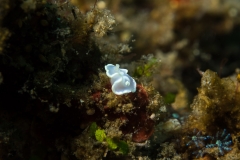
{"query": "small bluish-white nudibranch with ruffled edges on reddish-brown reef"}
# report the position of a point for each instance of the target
(121, 82)
